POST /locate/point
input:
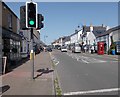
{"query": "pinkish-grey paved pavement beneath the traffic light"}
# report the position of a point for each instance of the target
(20, 82)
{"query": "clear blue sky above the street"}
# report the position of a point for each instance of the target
(62, 18)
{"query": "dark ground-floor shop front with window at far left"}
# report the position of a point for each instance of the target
(11, 46)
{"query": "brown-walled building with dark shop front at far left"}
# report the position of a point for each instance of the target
(10, 37)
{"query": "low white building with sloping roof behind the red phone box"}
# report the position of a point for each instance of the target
(110, 35)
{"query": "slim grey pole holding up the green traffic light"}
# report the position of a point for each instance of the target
(32, 55)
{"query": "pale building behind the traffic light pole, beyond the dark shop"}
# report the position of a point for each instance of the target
(26, 42)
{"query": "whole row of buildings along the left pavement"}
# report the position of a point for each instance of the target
(14, 42)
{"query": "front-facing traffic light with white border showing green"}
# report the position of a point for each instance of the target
(31, 15)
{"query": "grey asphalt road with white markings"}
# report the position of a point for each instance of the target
(86, 74)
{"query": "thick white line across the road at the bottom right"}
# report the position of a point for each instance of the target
(93, 91)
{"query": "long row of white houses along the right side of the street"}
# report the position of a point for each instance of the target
(89, 36)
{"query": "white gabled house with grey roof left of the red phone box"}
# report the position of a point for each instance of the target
(89, 36)
